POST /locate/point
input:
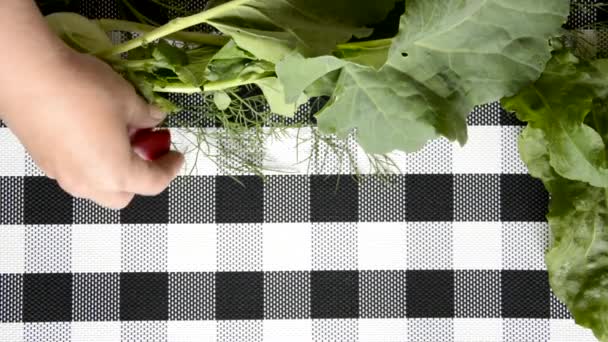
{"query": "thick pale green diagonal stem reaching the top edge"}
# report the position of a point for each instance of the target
(172, 27)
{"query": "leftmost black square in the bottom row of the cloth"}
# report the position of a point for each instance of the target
(47, 297)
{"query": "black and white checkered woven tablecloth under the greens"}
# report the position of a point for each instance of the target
(451, 249)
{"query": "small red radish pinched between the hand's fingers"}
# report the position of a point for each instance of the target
(151, 144)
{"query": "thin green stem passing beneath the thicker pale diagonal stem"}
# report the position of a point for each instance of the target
(191, 37)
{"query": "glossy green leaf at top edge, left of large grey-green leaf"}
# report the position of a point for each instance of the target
(272, 29)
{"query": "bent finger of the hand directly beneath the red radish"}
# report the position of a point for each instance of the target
(151, 178)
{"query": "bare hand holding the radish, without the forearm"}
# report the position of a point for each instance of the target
(75, 119)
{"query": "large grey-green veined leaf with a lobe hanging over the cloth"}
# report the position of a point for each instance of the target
(449, 56)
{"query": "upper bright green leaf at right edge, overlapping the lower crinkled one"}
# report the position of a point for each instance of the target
(562, 104)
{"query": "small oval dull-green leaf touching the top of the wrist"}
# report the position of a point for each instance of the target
(78, 32)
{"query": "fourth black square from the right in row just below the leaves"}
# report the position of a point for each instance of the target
(240, 200)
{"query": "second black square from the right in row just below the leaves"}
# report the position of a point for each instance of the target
(429, 197)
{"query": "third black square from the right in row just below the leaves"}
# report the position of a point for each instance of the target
(334, 199)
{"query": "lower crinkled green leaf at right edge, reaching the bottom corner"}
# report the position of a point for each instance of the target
(577, 260)
